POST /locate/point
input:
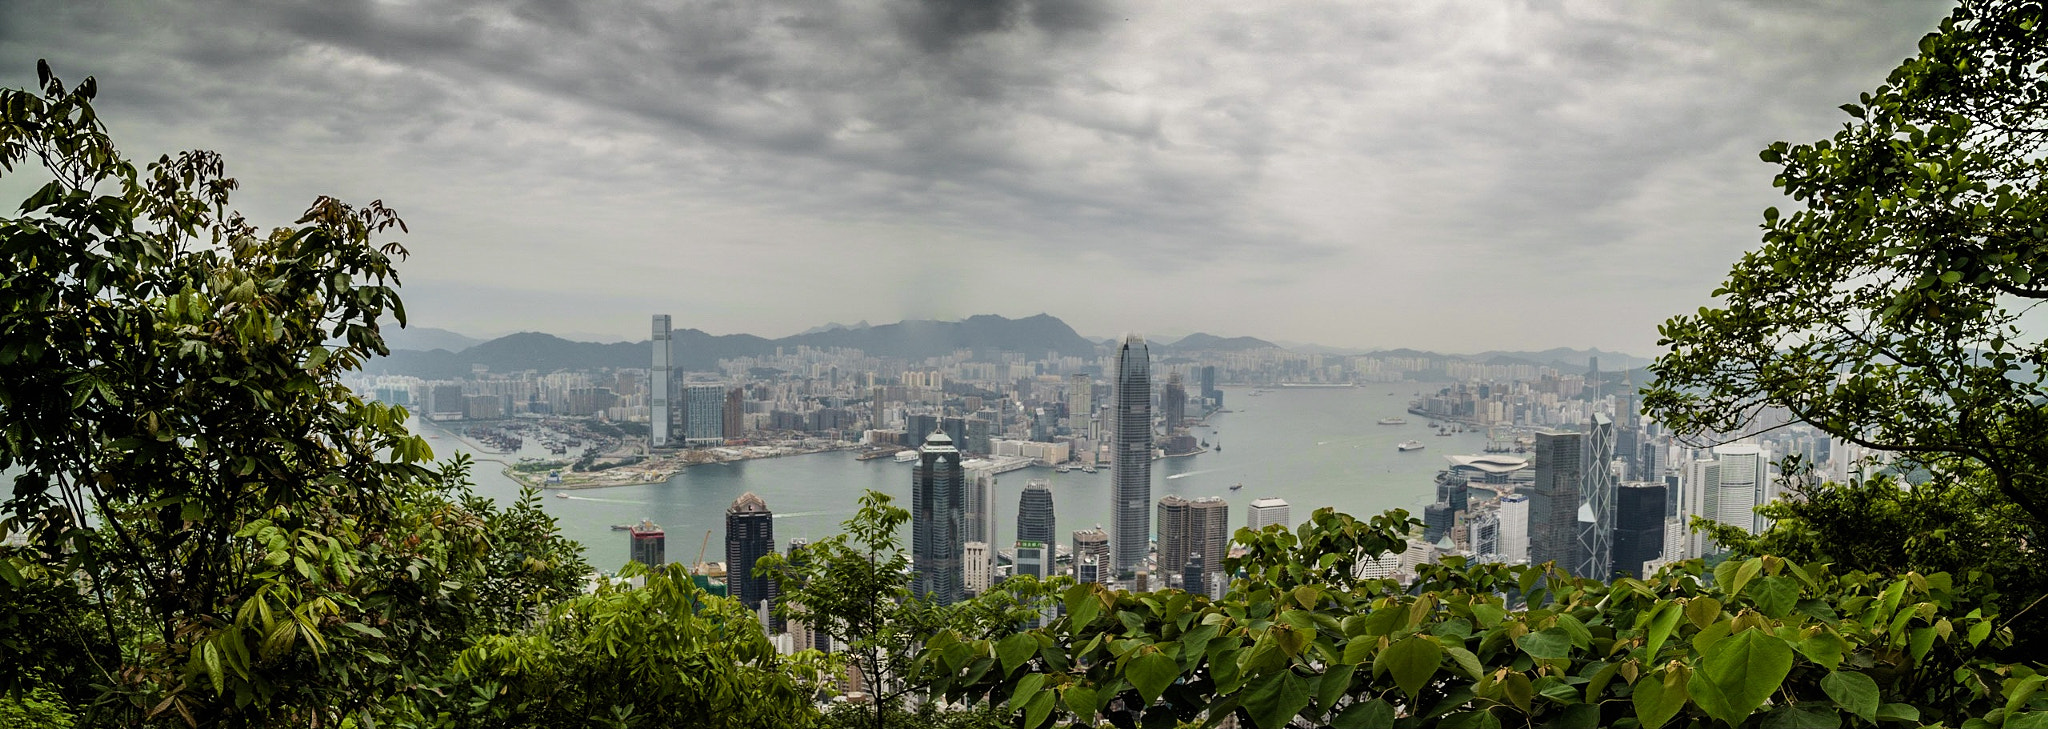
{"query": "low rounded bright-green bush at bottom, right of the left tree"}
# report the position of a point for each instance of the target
(663, 654)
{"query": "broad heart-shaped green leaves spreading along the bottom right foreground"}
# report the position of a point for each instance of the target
(1758, 644)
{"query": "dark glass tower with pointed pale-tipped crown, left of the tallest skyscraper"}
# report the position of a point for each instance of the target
(939, 521)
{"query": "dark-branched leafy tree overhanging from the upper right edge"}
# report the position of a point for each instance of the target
(1889, 306)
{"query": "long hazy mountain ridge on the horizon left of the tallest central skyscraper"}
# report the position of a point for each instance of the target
(697, 351)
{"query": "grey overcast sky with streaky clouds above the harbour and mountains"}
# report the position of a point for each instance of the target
(1435, 173)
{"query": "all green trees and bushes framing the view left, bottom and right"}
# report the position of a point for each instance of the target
(220, 535)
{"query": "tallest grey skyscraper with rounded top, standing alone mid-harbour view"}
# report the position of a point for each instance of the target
(1132, 456)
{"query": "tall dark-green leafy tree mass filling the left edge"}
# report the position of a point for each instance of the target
(249, 544)
